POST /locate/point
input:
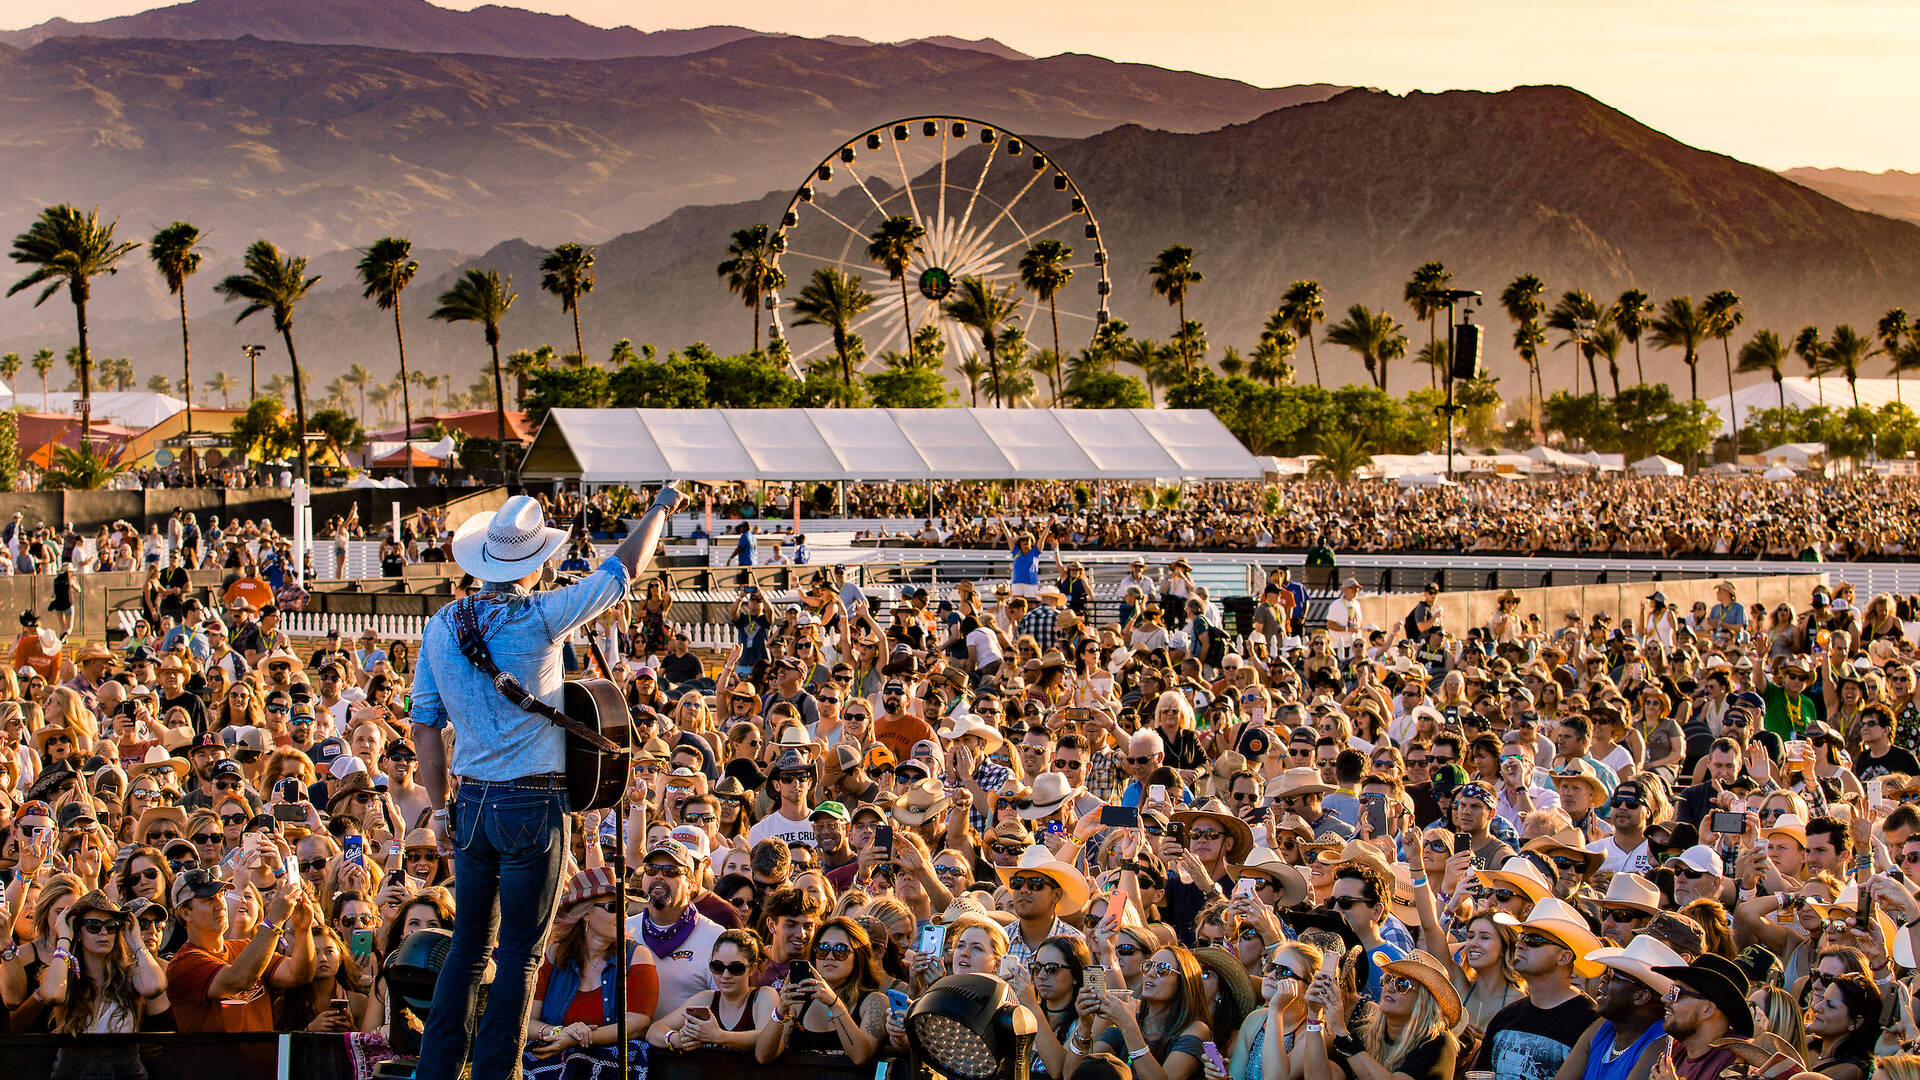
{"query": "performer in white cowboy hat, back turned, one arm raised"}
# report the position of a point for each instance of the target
(510, 816)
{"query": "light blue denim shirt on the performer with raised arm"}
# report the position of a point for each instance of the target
(494, 739)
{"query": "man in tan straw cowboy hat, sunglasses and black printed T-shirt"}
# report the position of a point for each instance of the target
(1527, 1039)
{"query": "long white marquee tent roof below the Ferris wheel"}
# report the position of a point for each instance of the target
(612, 447)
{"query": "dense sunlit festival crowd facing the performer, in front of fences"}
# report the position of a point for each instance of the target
(1548, 847)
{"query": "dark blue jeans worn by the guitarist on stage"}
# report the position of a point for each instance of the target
(510, 847)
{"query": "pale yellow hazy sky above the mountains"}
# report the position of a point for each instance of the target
(1771, 82)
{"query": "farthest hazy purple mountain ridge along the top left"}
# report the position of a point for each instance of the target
(416, 26)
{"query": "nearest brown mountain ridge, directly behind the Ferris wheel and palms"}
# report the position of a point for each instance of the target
(1355, 193)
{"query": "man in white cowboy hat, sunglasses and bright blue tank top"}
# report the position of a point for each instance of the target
(1629, 1037)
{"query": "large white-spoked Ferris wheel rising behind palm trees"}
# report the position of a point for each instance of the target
(982, 199)
